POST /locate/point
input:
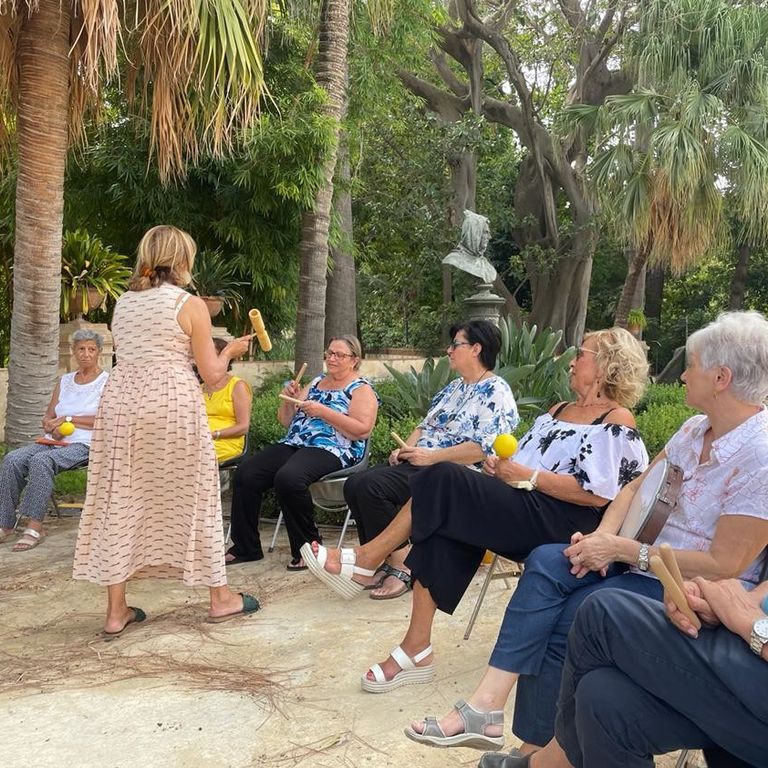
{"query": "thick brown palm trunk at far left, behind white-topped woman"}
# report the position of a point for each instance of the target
(42, 139)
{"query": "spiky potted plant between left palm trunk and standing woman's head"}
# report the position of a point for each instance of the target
(90, 271)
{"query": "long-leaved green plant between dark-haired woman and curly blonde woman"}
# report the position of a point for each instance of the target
(530, 363)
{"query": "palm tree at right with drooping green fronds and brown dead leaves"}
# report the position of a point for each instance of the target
(691, 141)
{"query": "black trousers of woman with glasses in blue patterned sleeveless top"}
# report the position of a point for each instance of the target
(290, 471)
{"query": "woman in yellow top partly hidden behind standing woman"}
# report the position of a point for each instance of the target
(228, 405)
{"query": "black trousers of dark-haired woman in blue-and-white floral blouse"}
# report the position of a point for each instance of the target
(376, 495)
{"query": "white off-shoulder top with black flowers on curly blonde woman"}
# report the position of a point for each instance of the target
(602, 457)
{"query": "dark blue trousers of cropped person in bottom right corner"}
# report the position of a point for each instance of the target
(634, 687)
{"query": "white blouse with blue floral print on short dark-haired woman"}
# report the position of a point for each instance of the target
(475, 412)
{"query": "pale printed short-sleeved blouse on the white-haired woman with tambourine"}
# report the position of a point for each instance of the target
(734, 481)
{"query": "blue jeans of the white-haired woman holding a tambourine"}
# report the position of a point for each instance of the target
(533, 634)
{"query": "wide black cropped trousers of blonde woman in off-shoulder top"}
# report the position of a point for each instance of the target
(458, 514)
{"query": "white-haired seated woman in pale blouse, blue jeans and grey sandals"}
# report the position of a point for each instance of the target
(718, 529)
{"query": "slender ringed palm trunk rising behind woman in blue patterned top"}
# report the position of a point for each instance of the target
(313, 251)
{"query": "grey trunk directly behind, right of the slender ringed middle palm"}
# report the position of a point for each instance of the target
(341, 293)
